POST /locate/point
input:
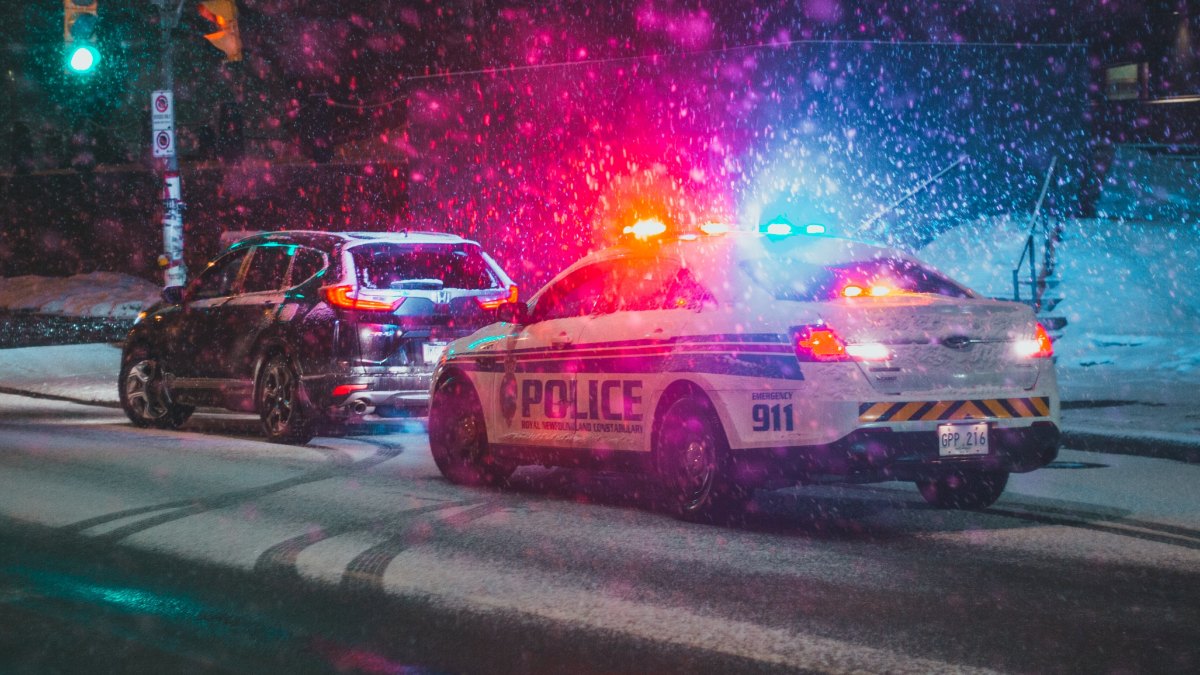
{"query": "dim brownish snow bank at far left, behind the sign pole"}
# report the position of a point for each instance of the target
(99, 294)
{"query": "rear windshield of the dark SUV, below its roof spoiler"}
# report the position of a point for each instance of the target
(423, 266)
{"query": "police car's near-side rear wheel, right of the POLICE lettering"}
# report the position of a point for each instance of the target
(692, 422)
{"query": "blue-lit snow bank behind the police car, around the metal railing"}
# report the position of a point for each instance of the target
(1131, 291)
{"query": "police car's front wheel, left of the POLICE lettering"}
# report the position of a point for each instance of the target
(459, 437)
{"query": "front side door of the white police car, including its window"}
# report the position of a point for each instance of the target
(536, 398)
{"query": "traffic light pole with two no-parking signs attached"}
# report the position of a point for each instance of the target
(164, 118)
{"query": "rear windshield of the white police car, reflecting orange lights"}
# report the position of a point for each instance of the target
(800, 282)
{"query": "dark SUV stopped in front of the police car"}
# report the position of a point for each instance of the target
(311, 330)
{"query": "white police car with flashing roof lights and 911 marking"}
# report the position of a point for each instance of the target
(725, 361)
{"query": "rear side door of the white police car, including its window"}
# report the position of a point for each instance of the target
(632, 347)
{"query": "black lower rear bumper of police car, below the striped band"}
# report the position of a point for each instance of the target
(872, 456)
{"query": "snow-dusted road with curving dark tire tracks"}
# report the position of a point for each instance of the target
(209, 549)
